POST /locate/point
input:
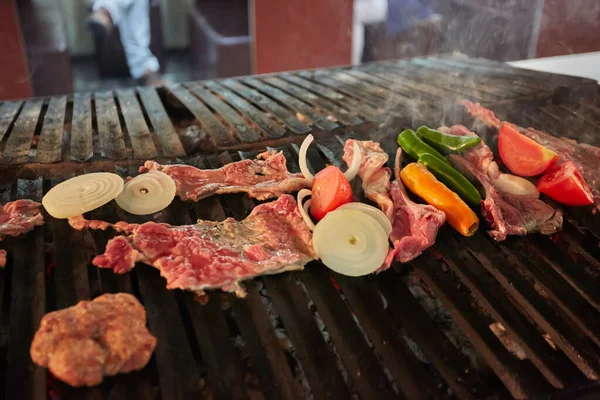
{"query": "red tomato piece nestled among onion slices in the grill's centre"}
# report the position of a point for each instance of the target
(330, 190)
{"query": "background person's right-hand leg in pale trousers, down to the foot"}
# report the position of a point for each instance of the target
(135, 36)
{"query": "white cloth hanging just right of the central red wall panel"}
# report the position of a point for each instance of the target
(365, 12)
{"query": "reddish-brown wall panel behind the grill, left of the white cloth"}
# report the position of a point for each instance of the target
(300, 34)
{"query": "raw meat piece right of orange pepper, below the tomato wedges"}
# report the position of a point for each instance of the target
(510, 214)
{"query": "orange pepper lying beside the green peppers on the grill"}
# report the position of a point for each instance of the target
(421, 182)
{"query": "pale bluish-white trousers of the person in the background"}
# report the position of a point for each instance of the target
(133, 19)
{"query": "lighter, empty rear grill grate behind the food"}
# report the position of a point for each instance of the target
(245, 113)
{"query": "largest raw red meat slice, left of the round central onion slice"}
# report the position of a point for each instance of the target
(210, 255)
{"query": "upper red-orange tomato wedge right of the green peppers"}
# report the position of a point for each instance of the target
(523, 156)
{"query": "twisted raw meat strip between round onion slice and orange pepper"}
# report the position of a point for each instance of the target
(414, 226)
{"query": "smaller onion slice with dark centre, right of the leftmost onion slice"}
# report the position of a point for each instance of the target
(147, 193)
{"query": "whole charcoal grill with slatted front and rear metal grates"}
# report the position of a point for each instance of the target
(421, 330)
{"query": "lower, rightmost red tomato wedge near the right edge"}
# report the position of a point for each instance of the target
(565, 184)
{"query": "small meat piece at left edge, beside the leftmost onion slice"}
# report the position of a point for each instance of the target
(18, 217)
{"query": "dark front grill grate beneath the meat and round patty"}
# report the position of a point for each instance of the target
(427, 329)
